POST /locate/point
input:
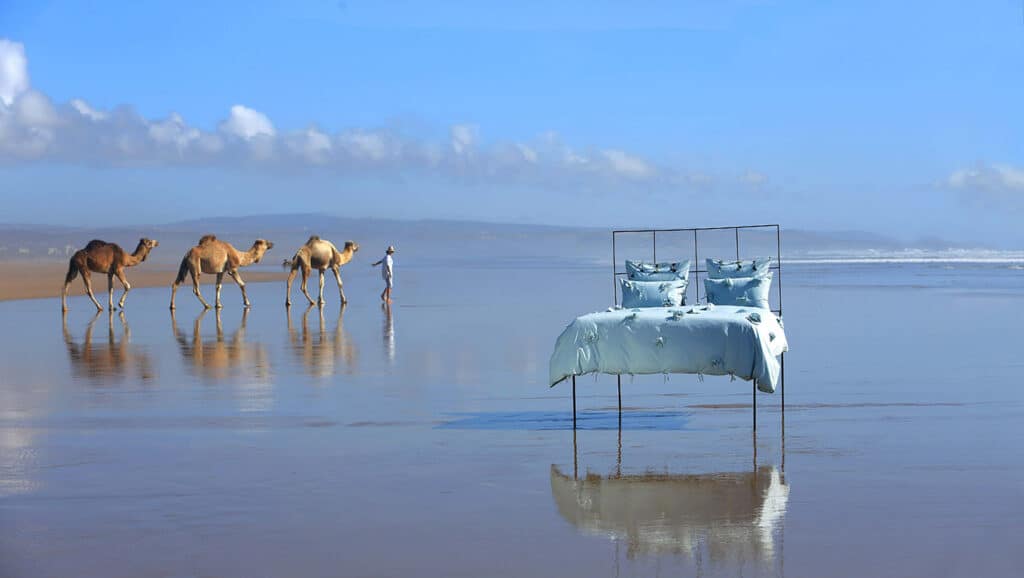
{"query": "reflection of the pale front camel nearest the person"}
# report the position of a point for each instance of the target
(320, 353)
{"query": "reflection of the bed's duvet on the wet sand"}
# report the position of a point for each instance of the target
(724, 518)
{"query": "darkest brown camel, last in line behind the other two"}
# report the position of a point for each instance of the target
(100, 257)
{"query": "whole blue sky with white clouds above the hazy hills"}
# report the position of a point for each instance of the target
(900, 118)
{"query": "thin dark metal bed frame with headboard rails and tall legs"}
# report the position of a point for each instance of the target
(697, 269)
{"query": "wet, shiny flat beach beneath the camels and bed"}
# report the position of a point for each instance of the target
(423, 440)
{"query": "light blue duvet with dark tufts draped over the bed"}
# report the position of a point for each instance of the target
(734, 341)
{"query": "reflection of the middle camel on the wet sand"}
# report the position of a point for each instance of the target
(222, 359)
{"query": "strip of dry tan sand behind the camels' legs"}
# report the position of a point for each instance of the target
(42, 280)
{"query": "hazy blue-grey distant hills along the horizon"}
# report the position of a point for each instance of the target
(471, 242)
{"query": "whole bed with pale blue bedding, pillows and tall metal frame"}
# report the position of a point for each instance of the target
(742, 338)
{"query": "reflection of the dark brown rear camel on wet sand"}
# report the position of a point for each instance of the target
(115, 360)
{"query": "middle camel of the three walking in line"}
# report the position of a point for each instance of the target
(218, 258)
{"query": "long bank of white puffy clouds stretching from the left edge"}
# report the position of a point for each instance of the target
(35, 130)
